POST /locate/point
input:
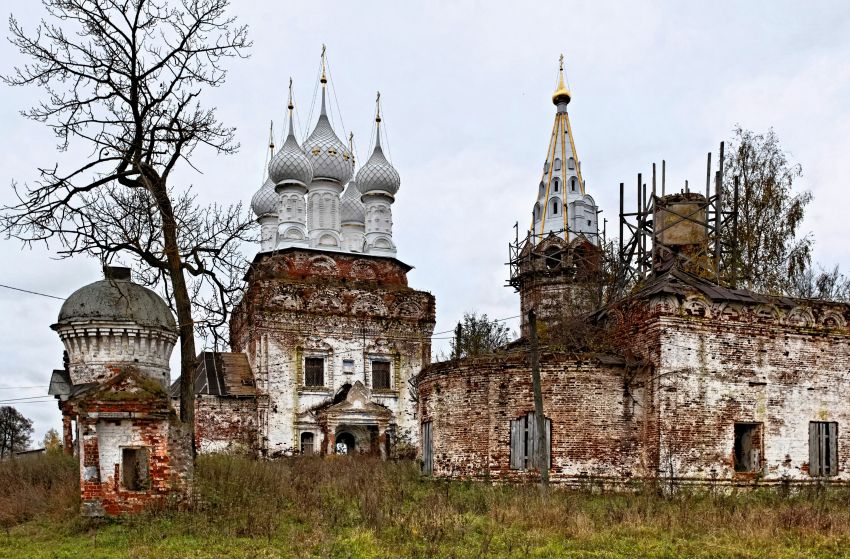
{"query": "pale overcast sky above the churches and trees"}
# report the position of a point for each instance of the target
(466, 91)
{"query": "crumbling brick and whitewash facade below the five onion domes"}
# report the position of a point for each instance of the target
(342, 307)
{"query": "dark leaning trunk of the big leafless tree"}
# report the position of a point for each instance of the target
(183, 306)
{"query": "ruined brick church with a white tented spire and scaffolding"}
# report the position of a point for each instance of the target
(682, 380)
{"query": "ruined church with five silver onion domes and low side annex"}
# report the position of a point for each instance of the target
(328, 333)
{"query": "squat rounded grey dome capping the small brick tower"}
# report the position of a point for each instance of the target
(116, 299)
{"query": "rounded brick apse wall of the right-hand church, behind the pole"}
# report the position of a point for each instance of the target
(597, 422)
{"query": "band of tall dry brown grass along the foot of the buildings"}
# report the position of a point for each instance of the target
(314, 500)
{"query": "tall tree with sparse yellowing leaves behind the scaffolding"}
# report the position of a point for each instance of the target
(770, 212)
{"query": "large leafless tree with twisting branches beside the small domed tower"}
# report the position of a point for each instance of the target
(122, 79)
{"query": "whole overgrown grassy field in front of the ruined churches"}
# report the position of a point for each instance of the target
(365, 508)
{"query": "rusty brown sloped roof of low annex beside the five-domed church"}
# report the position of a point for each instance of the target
(221, 374)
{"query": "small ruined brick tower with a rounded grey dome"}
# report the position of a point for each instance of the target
(112, 393)
